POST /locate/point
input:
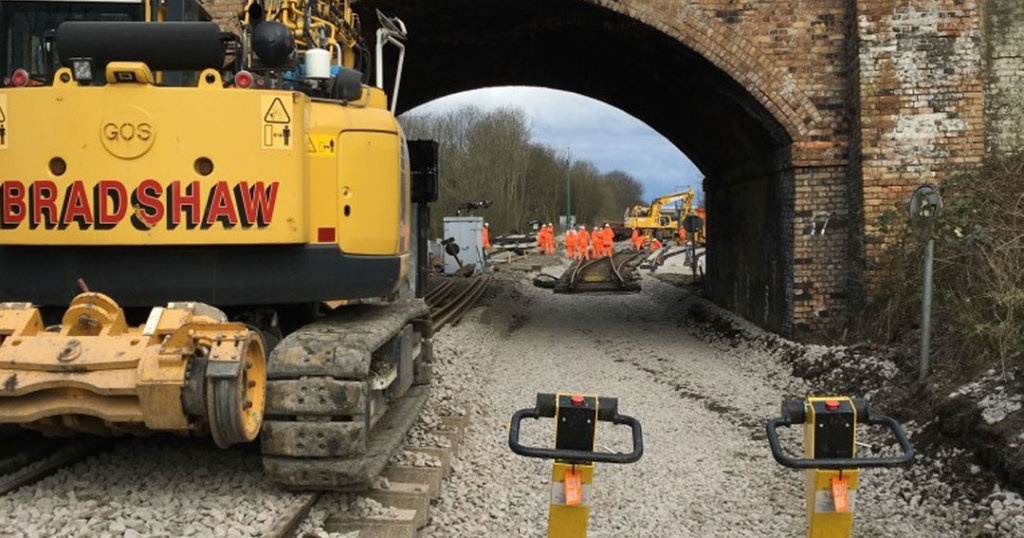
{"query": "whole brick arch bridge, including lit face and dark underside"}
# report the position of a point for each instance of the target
(808, 119)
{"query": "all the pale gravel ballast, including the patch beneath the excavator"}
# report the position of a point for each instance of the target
(703, 397)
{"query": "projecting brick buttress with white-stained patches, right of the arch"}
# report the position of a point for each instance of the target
(921, 101)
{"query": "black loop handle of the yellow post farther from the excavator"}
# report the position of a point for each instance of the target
(794, 413)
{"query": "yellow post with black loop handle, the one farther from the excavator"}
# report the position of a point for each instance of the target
(831, 458)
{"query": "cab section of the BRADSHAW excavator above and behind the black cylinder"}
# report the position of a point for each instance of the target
(28, 30)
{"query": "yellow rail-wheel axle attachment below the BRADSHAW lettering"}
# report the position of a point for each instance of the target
(96, 375)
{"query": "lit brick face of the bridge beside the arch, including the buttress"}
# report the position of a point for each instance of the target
(879, 97)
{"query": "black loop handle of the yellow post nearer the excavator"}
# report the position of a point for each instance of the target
(607, 412)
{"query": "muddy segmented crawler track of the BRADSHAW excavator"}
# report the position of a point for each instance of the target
(331, 423)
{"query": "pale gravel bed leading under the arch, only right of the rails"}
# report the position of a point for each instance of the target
(703, 401)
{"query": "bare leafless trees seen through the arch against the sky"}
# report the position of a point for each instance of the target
(490, 156)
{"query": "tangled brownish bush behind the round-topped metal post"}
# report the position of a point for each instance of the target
(978, 299)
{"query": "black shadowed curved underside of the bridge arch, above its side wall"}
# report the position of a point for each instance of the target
(459, 46)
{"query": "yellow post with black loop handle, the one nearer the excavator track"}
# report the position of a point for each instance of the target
(573, 472)
